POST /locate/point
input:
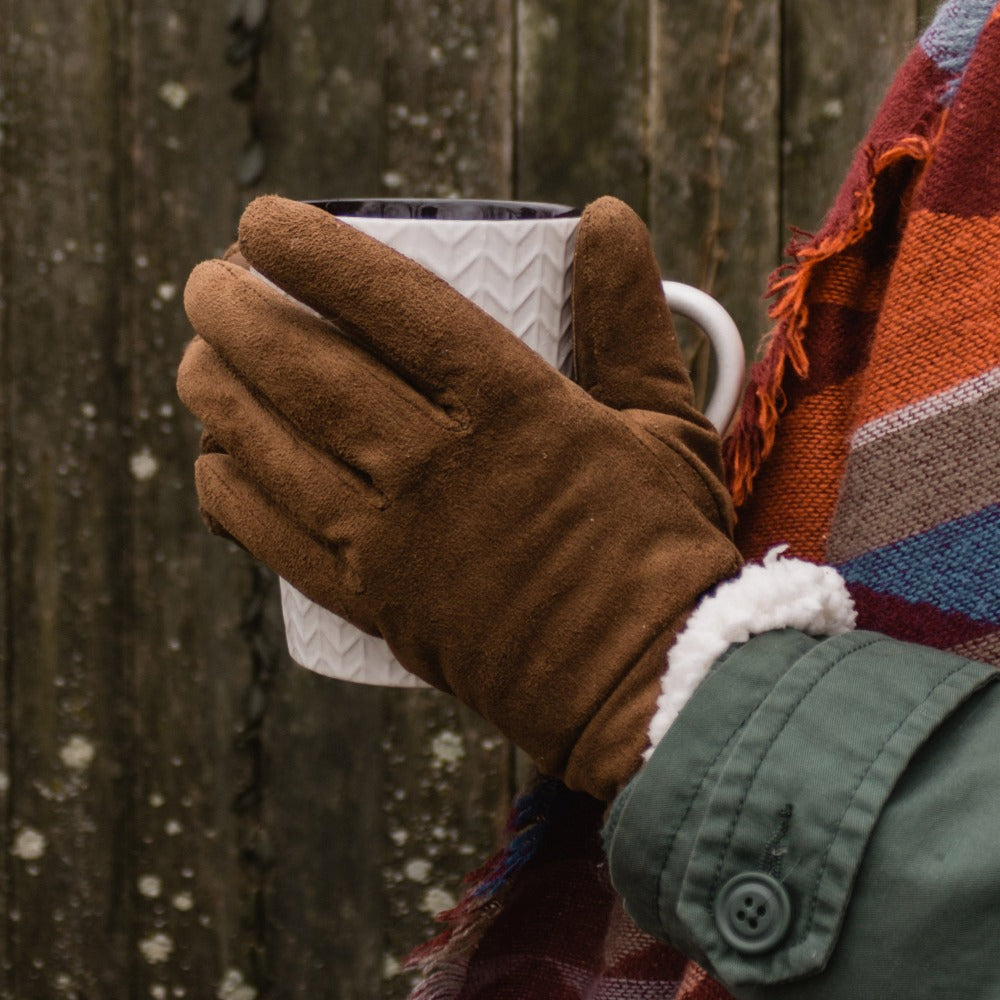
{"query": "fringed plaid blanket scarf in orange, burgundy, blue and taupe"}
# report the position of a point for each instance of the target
(869, 438)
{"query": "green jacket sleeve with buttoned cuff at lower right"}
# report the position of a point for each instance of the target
(823, 820)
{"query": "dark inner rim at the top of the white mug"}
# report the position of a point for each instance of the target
(445, 209)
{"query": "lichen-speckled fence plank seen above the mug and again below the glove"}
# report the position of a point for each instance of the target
(446, 785)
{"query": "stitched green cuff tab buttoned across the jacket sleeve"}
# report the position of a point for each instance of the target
(764, 883)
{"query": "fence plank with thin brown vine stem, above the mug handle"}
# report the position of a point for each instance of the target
(716, 151)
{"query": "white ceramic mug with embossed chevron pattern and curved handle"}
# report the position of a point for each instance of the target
(514, 260)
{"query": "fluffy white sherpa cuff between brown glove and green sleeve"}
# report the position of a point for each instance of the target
(778, 593)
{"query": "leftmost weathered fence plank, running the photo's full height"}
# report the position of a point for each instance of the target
(66, 506)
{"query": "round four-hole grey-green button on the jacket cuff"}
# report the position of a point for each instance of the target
(753, 912)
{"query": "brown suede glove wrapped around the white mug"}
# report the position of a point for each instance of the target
(526, 543)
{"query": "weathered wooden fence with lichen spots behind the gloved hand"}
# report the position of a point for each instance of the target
(183, 813)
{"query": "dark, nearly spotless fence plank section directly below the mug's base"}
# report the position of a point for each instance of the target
(324, 903)
